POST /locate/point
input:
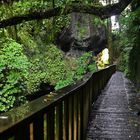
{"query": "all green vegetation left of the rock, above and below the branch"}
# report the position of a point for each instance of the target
(29, 56)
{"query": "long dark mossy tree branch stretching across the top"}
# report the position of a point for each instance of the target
(101, 11)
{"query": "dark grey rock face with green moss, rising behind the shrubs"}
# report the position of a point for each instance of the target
(82, 35)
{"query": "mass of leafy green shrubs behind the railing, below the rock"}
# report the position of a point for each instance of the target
(21, 74)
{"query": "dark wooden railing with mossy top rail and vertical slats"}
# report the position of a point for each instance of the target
(58, 116)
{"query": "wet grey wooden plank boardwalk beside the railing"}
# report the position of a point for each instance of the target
(114, 115)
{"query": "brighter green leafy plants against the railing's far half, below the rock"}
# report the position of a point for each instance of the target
(82, 66)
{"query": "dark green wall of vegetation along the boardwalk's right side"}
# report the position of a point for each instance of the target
(126, 44)
